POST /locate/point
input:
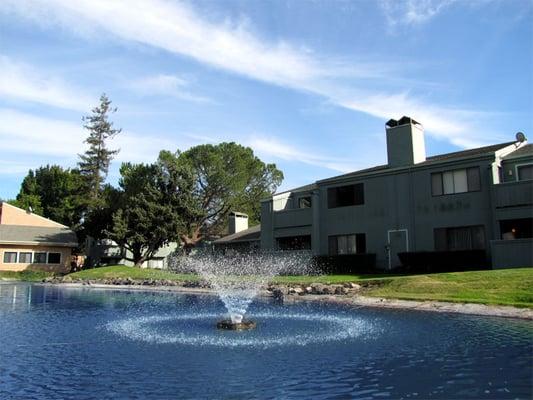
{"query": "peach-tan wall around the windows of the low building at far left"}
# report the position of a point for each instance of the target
(66, 253)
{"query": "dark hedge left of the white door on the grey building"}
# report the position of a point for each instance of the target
(347, 264)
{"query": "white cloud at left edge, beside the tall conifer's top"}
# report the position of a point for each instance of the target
(19, 81)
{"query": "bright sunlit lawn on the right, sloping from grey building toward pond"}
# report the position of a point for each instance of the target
(513, 287)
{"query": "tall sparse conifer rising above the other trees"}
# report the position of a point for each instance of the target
(94, 163)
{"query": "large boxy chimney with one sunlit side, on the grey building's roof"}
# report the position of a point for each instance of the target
(405, 142)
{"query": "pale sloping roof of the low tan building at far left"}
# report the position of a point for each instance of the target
(36, 235)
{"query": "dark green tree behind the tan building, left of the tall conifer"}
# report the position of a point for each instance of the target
(54, 193)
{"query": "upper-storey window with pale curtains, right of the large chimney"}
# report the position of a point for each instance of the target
(457, 181)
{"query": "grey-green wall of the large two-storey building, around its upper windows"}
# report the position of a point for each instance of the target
(403, 200)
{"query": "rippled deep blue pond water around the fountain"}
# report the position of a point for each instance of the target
(62, 343)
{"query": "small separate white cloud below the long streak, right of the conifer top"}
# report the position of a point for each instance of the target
(166, 85)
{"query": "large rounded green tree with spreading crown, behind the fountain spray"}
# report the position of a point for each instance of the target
(227, 177)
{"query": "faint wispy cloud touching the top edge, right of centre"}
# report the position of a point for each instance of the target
(405, 12)
